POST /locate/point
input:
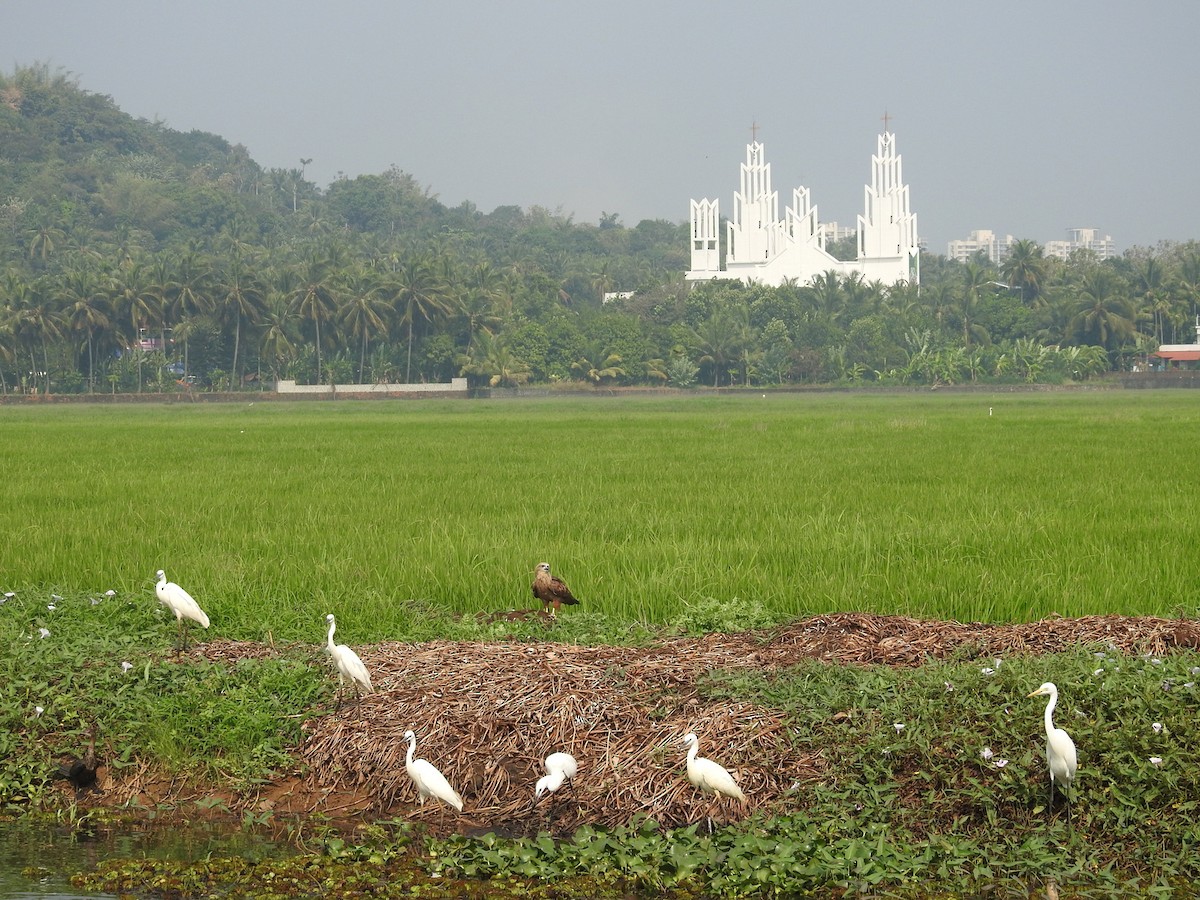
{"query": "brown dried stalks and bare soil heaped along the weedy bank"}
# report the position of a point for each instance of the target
(488, 715)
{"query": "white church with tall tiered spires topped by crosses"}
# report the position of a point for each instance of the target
(764, 249)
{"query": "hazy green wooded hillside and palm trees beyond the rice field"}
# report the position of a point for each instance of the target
(141, 259)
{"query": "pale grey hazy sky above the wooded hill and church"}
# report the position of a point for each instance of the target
(1029, 117)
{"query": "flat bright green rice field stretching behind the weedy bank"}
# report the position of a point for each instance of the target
(982, 507)
